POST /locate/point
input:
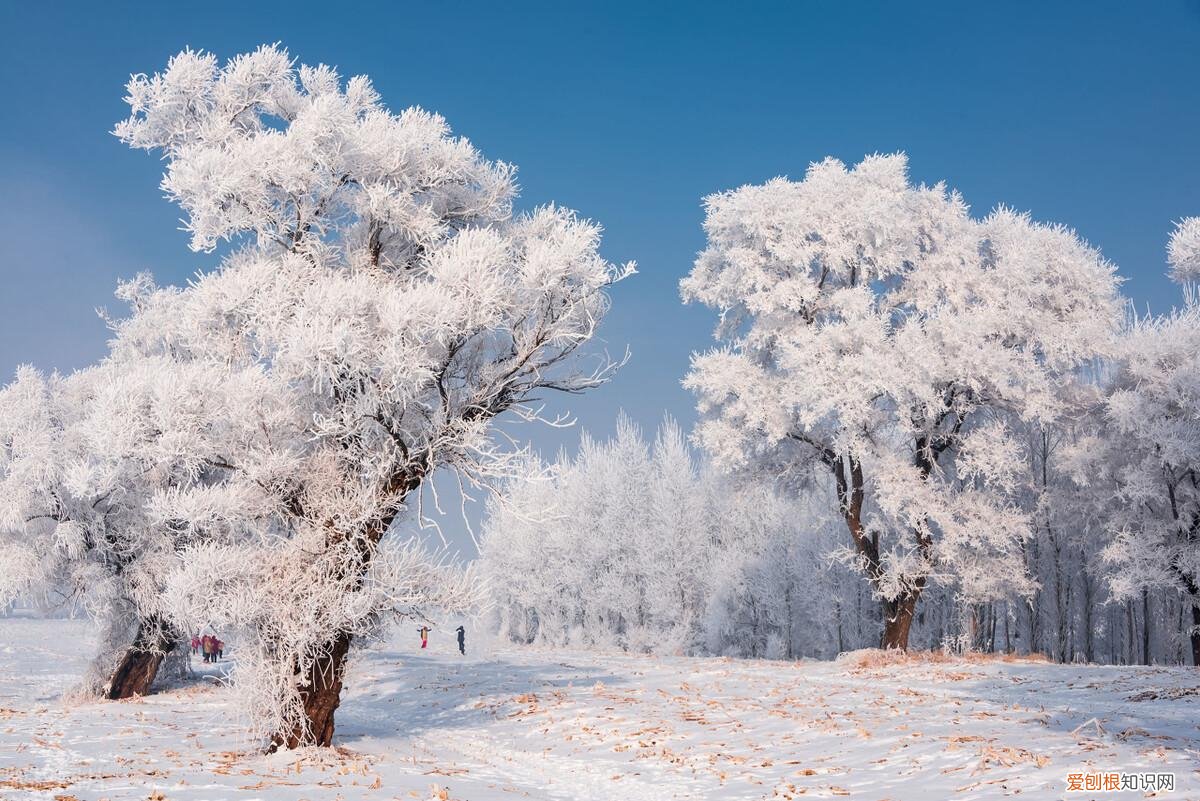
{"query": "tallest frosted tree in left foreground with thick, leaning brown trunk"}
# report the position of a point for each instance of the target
(394, 306)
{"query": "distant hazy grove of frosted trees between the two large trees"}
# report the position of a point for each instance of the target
(634, 546)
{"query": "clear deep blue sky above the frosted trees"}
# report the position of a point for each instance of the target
(1082, 113)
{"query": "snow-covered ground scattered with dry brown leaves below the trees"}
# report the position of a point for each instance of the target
(551, 725)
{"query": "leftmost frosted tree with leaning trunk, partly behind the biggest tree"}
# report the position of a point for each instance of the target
(86, 466)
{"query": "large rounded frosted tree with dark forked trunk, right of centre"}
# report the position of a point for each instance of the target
(880, 339)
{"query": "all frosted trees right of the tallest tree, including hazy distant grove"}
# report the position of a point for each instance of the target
(1005, 457)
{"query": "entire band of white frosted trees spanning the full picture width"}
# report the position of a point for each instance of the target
(958, 402)
